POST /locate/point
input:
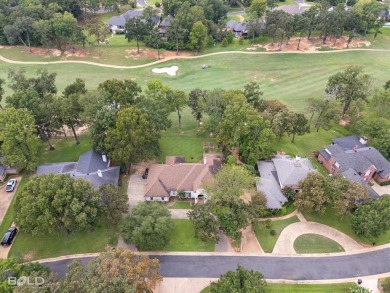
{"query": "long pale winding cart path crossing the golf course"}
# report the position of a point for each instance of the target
(4, 59)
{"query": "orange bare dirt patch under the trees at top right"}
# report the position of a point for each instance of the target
(316, 43)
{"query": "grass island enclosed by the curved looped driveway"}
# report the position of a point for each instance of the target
(313, 243)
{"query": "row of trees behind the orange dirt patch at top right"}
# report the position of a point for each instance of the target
(331, 23)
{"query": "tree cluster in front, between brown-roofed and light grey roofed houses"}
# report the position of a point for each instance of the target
(226, 210)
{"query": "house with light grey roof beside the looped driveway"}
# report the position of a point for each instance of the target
(280, 172)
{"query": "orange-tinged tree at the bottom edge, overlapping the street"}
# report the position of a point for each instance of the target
(118, 270)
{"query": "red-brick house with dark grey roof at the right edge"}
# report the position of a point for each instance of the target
(352, 152)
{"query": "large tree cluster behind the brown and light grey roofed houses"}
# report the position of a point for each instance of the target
(245, 124)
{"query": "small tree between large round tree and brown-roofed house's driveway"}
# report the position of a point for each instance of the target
(113, 202)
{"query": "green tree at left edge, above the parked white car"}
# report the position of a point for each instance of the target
(20, 145)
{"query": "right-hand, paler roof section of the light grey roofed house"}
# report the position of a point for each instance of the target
(291, 170)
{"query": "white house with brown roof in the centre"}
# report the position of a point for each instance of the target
(175, 176)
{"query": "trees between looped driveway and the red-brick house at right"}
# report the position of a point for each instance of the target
(370, 218)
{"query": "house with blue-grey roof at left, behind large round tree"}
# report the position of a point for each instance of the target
(91, 166)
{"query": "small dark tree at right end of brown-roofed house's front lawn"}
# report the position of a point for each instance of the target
(205, 223)
